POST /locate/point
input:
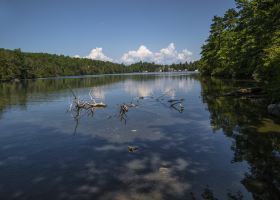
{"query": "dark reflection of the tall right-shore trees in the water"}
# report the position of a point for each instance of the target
(241, 119)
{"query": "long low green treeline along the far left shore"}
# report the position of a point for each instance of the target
(15, 64)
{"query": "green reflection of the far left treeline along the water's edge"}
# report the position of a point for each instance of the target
(19, 93)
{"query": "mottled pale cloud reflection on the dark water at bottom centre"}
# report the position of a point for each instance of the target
(147, 178)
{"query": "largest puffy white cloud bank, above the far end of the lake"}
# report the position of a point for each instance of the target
(168, 55)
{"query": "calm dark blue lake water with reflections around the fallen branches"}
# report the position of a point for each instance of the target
(218, 147)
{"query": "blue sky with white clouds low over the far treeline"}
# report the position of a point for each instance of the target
(117, 27)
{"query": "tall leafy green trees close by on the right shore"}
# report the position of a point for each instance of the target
(245, 42)
